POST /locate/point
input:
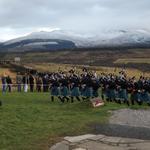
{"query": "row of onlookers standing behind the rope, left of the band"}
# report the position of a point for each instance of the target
(26, 82)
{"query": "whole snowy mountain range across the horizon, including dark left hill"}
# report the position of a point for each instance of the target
(61, 39)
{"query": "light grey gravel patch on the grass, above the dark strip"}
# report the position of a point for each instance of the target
(129, 117)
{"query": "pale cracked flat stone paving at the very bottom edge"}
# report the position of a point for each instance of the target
(101, 142)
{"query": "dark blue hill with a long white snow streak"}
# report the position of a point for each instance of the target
(36, 45)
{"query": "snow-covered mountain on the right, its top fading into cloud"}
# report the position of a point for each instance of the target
(123, 38)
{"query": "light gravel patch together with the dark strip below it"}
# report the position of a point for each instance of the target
(127, 123)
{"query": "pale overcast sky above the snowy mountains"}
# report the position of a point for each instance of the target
(20, 17)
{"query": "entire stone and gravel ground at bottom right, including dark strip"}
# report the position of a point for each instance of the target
(127, 130)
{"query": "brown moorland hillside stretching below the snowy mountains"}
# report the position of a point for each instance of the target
(130, 58)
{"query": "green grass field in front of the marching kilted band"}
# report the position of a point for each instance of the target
(30, 121)
